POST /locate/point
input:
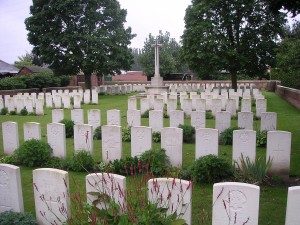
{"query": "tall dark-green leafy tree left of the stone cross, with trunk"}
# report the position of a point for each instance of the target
(80, 35)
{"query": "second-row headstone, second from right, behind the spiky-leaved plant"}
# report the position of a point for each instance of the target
(243, 143)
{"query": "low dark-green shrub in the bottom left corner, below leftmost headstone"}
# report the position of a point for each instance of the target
(10, 218)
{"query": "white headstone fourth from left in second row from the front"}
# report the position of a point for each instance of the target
(83, 137)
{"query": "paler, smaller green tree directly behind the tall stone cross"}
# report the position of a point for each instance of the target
(170, 60)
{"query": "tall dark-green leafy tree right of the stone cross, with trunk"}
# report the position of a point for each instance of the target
(232, 35)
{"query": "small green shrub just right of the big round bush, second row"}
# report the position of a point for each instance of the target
(83, 161)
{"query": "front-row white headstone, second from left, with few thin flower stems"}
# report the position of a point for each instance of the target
(51, 196)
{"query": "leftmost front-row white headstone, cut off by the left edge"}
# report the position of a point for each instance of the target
(11, 197)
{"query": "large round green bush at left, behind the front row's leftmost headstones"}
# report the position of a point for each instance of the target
(33, 153)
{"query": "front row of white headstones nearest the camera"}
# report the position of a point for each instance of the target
(232, 203)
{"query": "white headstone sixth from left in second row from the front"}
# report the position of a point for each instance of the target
(141, 140)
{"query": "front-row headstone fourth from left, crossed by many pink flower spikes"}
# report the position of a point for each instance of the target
(172, 194)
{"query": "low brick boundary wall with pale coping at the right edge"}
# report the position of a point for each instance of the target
(289, 94)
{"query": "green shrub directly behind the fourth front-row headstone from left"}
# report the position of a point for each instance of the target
(158, 161)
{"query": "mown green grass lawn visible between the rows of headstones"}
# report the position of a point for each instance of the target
(272, 198)
